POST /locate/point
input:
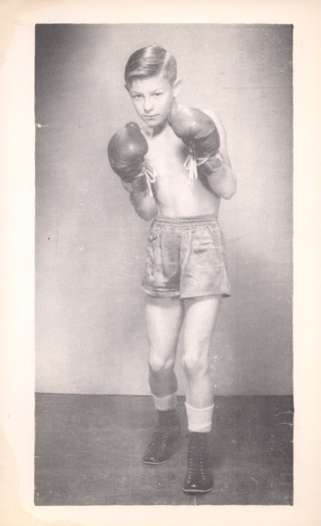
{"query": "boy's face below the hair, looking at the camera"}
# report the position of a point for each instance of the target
(153, 98)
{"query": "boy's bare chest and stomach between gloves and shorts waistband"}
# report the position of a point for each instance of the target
(176, 194)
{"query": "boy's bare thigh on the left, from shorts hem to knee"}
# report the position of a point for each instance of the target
(164, 317)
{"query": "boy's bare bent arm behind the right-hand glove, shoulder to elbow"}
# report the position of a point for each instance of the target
(222, 181)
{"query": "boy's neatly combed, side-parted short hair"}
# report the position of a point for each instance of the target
(150, 61)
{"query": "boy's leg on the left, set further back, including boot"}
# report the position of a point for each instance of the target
(163, 320)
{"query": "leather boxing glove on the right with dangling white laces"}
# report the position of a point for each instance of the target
(199, 133)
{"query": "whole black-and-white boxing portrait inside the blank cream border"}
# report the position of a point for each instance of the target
(164, 179)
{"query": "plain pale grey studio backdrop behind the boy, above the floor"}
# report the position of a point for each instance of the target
(90, 335)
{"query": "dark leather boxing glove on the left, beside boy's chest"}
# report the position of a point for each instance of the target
(126, 152)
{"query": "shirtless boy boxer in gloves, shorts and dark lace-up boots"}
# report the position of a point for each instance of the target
(176, 169)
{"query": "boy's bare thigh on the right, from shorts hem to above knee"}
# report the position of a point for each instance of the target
(200, 317)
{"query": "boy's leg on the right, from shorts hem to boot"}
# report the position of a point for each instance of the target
(200, 318)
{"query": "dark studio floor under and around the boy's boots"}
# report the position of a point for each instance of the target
(89, 449)
